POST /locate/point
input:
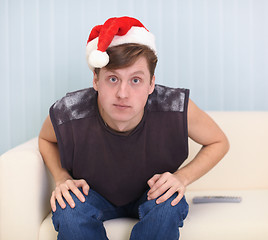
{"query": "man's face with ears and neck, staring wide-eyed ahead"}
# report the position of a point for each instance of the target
(123, 93)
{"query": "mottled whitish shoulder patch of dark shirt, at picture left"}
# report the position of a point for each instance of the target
(75, 105)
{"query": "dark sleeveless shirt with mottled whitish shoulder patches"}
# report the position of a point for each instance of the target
(118, 166)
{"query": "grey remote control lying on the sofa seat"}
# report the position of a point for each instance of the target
(217, 199)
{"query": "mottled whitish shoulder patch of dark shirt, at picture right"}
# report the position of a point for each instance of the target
(168, 99)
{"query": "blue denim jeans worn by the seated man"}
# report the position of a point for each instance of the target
(85, 221)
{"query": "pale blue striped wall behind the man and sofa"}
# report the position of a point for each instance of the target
(217, 48)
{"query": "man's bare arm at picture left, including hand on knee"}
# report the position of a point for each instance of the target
(49, 150)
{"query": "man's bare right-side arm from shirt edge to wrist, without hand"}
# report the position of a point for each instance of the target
(203, 130)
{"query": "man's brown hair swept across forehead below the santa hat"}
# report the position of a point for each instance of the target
(125, 55)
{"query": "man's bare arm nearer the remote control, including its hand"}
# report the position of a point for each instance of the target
(203, 130)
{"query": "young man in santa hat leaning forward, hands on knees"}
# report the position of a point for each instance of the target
(115, 150)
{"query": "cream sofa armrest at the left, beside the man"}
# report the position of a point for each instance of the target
(25, 189)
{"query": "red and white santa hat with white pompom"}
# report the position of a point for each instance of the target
(115, 31)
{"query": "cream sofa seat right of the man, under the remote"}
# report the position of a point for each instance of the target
(233, 221)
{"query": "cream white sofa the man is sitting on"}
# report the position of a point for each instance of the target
(25, 188)
